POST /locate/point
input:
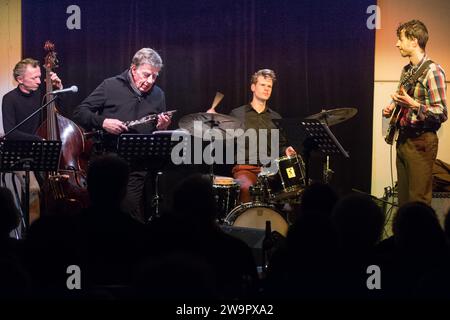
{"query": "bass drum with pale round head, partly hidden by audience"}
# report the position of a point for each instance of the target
(255, 214)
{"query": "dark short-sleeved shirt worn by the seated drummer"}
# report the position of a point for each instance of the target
(254, 120)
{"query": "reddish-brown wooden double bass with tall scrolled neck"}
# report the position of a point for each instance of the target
(66, 189)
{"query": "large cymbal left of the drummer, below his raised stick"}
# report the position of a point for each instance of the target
(218, 122)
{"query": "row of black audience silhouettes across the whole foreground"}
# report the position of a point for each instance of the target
(185, 255)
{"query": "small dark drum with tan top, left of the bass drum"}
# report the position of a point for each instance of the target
(226, 193)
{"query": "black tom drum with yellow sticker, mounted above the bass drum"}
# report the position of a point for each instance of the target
(287, 181)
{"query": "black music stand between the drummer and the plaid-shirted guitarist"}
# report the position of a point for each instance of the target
(318, 137)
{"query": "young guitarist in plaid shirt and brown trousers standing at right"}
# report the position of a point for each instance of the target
(422, 108)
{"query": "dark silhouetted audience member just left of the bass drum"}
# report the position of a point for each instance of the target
(191, 228)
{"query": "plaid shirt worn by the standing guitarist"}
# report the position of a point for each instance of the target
(429, 90)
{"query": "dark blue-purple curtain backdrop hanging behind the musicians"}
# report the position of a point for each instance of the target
(321, 50)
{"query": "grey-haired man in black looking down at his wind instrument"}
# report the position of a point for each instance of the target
(128, 96)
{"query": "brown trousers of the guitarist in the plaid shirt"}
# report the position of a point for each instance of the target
(415, 159)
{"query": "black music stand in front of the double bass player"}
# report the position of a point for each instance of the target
(29, 156)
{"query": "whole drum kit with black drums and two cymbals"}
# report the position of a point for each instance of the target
(279, 185)
